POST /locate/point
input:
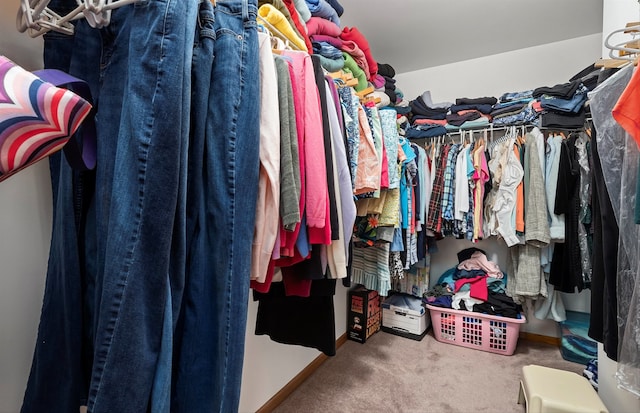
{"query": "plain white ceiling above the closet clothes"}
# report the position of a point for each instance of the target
(416, 34)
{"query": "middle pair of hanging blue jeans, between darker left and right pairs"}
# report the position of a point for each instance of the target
(145, 95)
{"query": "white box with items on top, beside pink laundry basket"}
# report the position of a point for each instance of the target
(404, 315)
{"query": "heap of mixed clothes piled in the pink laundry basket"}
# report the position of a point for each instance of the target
(475, 284)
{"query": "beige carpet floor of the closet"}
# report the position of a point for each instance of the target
(394, 374)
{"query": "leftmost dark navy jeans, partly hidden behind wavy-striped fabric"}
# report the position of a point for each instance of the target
(58, 375)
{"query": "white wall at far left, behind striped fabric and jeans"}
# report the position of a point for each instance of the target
(25, 225)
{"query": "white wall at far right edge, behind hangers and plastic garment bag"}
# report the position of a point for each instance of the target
(616, 14)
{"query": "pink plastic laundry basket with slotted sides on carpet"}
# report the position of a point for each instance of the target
(476, 330)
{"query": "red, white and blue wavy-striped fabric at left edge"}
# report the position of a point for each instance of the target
(36, 117)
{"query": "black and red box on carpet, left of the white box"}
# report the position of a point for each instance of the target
(363, 318)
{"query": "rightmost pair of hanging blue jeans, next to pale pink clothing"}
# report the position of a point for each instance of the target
(211, 329)
